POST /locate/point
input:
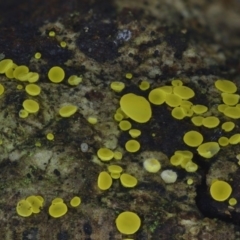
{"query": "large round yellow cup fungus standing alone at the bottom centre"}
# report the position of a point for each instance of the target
(128, 222)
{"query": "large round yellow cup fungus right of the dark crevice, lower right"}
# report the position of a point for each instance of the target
(220, 190)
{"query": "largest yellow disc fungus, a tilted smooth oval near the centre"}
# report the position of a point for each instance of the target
(136, 107)
